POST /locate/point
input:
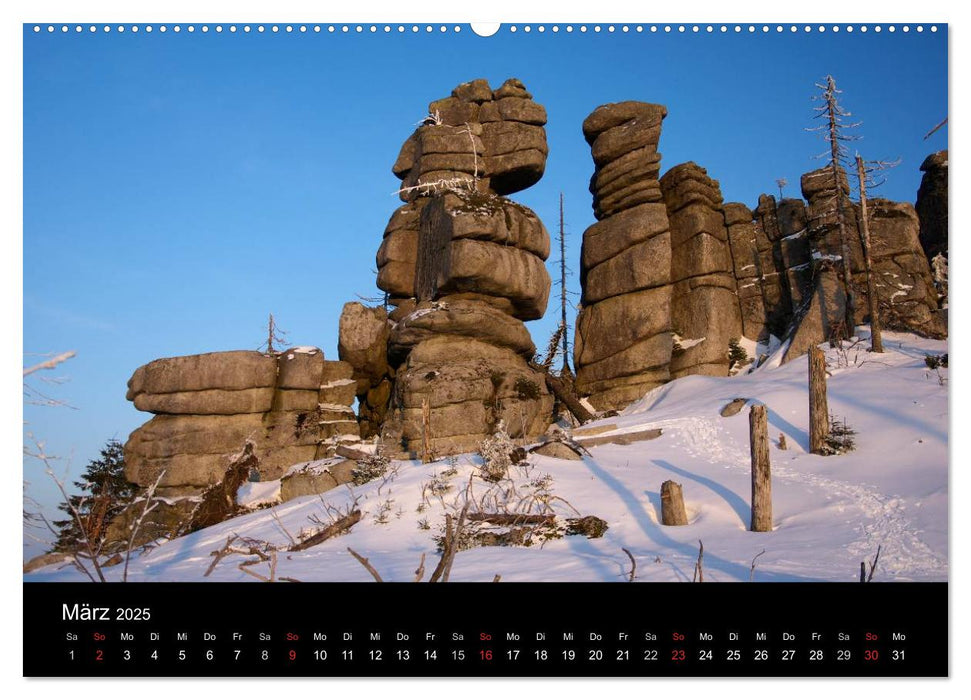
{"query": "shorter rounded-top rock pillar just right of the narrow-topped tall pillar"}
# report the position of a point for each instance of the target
(705, 314)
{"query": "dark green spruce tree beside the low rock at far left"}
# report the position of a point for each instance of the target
(104, 492)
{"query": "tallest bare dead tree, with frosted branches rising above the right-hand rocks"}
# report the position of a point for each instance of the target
(833, 131)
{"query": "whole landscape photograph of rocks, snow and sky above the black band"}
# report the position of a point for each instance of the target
(537, 303)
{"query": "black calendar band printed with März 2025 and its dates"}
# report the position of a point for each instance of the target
(485, 629)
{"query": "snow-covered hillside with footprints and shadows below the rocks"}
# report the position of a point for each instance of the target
(830, 513)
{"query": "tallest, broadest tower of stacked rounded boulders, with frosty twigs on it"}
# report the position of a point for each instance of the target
(463, 267)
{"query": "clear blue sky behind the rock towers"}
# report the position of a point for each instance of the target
(180, 187)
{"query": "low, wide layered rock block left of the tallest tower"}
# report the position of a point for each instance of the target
(294, 406)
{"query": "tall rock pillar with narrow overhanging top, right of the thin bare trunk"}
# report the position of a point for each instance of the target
(623, 342)
